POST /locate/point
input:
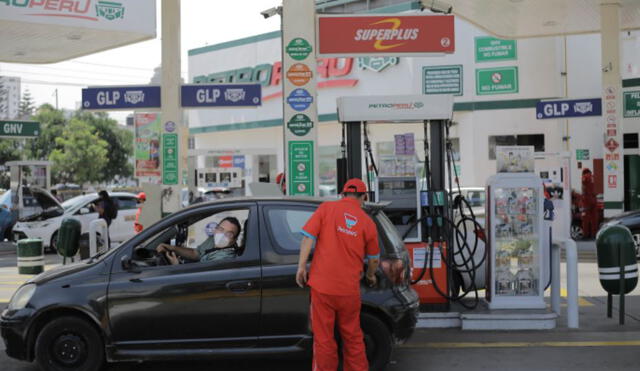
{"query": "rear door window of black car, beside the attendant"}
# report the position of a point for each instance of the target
(285, 226)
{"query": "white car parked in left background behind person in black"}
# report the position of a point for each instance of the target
(81, 208)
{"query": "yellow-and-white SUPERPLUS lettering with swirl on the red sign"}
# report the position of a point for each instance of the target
(386, 38)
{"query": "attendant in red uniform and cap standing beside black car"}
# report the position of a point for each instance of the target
(344, 234)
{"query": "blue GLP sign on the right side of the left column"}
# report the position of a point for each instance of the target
(221, 95)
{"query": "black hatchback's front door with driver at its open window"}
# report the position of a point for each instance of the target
(200, 305)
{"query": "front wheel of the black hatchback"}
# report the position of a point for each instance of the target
(69, 343)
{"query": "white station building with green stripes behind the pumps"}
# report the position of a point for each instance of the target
(545, 68)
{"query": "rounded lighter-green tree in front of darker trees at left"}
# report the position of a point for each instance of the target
(80, 156)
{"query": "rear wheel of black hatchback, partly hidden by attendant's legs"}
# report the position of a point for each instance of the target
(377, 340)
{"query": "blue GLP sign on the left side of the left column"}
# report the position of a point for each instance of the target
(121, 97)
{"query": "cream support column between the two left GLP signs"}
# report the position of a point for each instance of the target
(175, 134)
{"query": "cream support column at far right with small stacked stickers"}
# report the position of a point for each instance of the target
(613, 169)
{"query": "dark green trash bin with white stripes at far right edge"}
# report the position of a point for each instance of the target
(615, 248)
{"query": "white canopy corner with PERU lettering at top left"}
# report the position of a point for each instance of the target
(52, 31)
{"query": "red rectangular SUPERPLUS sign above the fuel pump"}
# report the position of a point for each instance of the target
(414, 35)
